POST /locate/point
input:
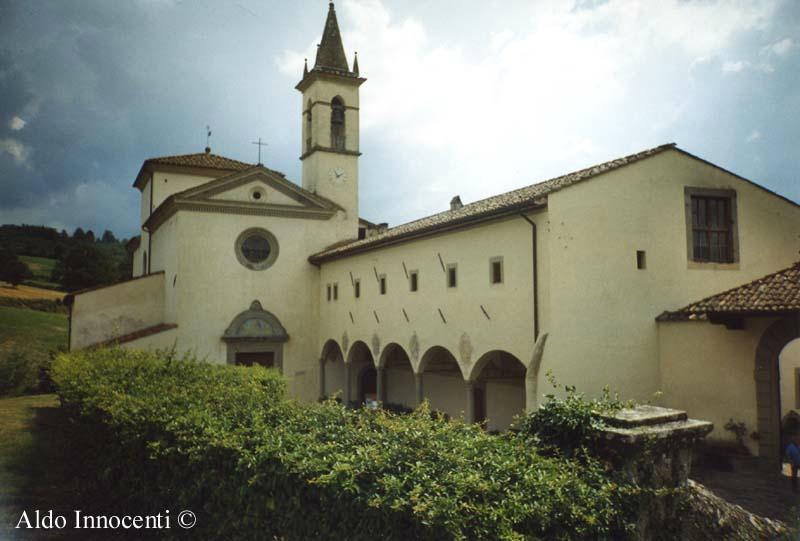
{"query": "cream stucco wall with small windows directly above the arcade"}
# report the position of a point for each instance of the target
(467, 333)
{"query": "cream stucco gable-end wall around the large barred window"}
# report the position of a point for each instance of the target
(601, 307)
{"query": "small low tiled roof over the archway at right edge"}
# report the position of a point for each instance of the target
(775, 293)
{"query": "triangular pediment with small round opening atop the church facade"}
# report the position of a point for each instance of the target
(258, 187)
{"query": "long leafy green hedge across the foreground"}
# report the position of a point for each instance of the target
(227, 444)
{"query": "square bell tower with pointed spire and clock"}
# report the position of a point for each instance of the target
(330, 146)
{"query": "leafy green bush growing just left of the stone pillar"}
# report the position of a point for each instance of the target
(569, 424)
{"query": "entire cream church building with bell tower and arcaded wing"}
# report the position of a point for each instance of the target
(609, 275)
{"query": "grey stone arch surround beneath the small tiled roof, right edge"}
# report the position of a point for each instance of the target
(775, 338)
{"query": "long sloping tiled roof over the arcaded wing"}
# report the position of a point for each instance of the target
(527, 197)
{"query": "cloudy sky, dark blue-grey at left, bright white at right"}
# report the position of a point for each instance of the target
(463, 97)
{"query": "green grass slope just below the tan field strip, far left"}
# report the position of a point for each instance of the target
(41, 331)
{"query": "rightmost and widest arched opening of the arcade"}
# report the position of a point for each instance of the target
(498, 389)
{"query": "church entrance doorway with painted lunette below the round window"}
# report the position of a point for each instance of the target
(255, 337)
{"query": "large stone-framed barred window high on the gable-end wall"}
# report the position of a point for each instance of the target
(711, 223)
